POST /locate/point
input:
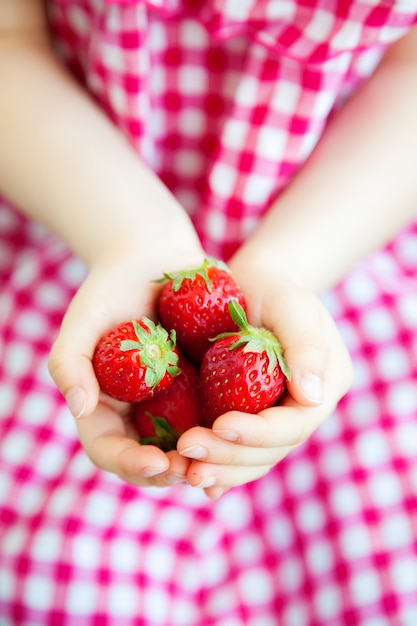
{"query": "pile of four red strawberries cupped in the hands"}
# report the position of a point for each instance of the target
(199, 361)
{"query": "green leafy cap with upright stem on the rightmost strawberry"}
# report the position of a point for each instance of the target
(255, 339)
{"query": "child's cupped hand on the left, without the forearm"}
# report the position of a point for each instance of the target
(119, 287)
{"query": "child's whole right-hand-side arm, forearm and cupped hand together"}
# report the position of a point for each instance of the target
(358, 189)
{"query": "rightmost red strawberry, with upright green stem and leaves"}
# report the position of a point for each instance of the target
(243, 371)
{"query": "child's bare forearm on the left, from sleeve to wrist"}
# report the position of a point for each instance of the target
(59, 154)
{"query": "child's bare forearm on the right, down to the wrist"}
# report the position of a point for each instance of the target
(359, 187)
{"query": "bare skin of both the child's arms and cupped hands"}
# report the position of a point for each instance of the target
(321, 226)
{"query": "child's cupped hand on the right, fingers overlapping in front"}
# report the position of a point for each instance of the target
(242, 447)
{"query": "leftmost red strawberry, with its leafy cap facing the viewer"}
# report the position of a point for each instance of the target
(135, 360)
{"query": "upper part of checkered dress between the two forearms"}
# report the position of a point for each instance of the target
(225, 108)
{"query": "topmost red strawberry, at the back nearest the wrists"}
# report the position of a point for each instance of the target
(194, 303)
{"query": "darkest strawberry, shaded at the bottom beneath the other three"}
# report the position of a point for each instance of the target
(163, 418)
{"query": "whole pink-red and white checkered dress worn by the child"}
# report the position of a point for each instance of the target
(224, 99)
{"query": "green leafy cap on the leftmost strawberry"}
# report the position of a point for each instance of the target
(156, 349)
